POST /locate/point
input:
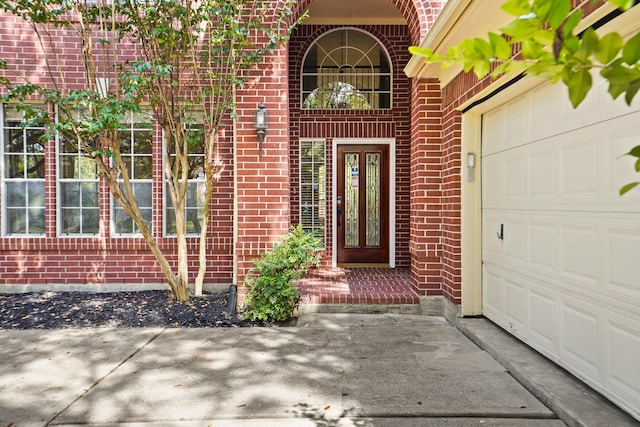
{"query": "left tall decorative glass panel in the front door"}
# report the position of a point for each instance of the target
(351, 202)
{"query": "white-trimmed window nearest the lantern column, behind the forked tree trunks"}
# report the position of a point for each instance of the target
(194, 202)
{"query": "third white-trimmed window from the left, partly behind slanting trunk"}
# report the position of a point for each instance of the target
(136, 152)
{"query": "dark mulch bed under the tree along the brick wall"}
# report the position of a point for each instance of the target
(59, 310)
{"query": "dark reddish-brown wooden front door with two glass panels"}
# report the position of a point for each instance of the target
(362, 204)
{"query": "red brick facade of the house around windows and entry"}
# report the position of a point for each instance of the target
(423, 121)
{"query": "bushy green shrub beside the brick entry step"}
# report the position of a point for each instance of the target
(271, 294)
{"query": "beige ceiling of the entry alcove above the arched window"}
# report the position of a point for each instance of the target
(354, 12)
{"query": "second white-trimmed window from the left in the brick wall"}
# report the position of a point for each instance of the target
(79, 210)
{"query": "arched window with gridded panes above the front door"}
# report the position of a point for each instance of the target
(346, 69)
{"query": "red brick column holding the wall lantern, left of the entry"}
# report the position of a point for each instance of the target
(263, 177)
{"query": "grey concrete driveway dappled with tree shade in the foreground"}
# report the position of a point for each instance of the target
(330, 370)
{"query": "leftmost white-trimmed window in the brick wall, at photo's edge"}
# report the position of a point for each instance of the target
(23, 176)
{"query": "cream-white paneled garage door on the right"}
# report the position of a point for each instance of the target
(564, 273)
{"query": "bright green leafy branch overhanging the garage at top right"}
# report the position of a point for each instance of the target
(542, 41)
